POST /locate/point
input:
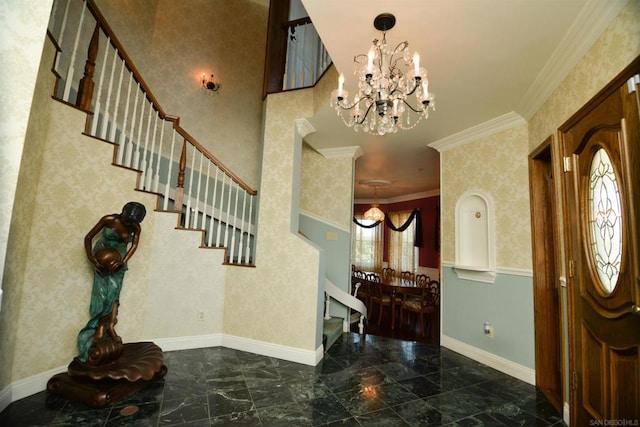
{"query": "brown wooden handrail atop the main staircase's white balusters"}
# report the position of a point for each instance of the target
(102, 23)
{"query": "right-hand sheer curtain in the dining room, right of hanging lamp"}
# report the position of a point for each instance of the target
(402, 252)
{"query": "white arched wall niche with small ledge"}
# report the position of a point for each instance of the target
(475, 237)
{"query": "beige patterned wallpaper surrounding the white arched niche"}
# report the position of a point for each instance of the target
(496, 165)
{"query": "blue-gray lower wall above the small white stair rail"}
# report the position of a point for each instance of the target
(337, 255)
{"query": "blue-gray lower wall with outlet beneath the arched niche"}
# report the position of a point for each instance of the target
(507, 304)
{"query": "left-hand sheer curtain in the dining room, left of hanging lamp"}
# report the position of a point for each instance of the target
(366, 245)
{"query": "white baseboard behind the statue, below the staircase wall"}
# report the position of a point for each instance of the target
(37, 383)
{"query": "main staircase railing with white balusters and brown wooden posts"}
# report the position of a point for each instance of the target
(122, 110)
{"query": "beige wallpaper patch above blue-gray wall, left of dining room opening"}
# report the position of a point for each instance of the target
(326, 187)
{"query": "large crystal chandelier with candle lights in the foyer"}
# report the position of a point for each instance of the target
(383, 103)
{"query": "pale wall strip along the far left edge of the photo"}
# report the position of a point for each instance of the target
(22, 36)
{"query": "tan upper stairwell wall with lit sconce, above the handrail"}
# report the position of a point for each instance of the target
(171, 56)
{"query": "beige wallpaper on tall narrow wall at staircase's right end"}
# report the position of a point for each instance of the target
(255, 298)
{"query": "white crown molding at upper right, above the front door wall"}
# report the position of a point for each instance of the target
(590, 23)
